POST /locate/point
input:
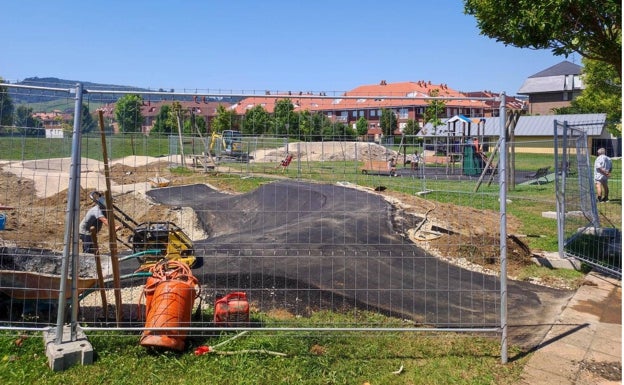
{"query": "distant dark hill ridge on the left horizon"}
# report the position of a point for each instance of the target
(22, 96)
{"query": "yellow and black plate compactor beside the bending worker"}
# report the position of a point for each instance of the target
(152, 242)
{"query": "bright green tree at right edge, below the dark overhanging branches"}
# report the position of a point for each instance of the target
(602, 94)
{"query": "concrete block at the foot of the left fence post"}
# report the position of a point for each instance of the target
(67, 353)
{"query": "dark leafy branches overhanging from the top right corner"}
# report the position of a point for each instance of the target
(591, 28)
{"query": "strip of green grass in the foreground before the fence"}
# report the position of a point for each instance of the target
(311, 358)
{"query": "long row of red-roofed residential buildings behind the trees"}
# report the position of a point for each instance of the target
(408, 100)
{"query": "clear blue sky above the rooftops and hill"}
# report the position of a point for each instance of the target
(259, 45)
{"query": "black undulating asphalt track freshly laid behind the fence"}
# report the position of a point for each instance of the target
(307, 246)
